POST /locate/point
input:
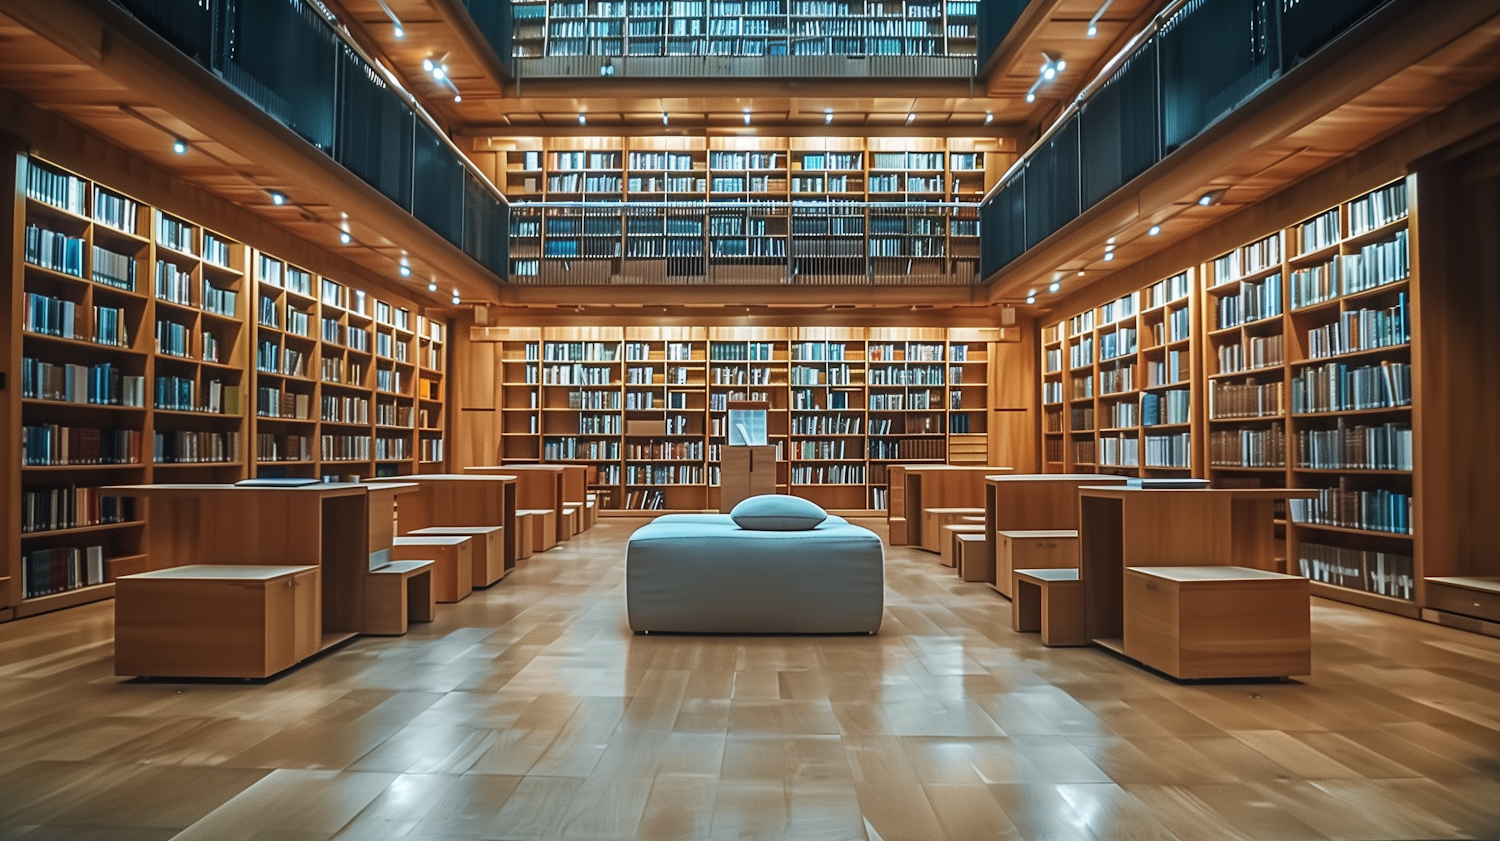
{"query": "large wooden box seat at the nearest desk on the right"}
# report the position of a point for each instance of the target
(1219, 621)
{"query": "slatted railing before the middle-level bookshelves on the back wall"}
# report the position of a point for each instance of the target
(745, 244)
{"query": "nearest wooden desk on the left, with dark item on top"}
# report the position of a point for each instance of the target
(344, 530)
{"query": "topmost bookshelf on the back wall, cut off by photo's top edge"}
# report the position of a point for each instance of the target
(664, 37)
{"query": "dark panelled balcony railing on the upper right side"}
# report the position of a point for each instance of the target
(1198, 64)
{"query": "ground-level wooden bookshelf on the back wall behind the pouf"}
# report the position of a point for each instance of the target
(646, 407)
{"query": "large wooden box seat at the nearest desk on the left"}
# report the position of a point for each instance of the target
(217, 621)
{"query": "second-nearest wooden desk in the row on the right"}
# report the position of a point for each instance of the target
(1030, 503)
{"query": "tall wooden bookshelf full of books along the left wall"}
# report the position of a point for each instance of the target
(142, 344)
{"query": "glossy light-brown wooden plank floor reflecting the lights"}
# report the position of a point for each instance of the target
(530, 713)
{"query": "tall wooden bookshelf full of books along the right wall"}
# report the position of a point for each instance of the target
(1304, 343)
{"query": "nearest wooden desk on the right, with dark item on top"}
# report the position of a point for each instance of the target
(1144, 527)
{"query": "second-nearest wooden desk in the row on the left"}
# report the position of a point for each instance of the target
(463, 500)
